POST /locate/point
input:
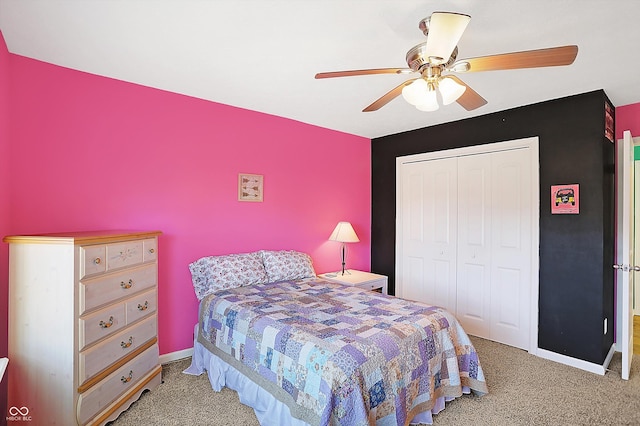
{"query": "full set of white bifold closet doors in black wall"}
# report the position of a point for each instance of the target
(467, 238)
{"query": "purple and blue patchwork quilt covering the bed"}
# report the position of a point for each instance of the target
(340, 355)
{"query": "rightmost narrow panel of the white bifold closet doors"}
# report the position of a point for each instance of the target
(511, 247)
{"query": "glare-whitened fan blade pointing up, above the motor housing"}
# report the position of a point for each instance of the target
(444, 30)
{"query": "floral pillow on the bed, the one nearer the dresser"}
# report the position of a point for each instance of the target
(214, 273)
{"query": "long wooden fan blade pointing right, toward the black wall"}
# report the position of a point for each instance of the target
(551, 57)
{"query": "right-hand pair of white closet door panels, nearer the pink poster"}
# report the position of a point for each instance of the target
(494, 246)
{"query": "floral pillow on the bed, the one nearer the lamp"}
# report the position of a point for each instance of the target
(287, 265)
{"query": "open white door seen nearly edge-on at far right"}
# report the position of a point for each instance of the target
(624, 247)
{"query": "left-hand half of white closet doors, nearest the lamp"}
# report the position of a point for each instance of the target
(427, 262)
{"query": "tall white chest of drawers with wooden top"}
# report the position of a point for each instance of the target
(82, 324)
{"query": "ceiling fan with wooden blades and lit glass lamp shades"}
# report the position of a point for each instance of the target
(439, 55)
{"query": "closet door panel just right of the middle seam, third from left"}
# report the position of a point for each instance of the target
(474, 244)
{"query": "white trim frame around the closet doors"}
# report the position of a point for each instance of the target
(531, 143)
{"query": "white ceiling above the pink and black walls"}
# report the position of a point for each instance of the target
(262, 55)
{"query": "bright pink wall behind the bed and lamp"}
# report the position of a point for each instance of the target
(94, 153)
